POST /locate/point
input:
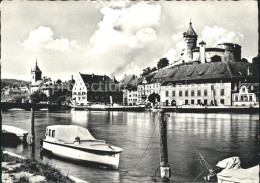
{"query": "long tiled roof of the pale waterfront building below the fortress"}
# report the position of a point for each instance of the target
(212, 70)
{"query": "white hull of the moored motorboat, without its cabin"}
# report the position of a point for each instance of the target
(107, 159)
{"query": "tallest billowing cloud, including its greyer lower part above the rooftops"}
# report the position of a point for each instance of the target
(125, 33)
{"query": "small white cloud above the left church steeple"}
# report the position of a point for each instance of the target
(44, 37)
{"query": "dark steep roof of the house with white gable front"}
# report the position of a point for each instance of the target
(96, 82)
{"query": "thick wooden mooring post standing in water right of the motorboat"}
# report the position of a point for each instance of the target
(165, 168)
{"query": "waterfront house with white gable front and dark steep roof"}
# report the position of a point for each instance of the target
(90, 88)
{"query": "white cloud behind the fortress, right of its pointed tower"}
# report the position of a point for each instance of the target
(215, 35)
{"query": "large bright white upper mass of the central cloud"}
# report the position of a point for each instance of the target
(131, 27)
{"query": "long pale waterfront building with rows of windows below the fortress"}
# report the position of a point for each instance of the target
(210, 83)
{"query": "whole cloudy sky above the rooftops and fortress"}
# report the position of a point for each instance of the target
(114, 38)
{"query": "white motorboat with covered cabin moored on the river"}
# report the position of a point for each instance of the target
(75, 142)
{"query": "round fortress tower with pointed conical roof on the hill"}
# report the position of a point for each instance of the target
(190, 41)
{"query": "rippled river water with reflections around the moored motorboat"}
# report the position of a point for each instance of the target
(215, 136)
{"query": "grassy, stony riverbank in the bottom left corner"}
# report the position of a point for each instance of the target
(19, 169)
